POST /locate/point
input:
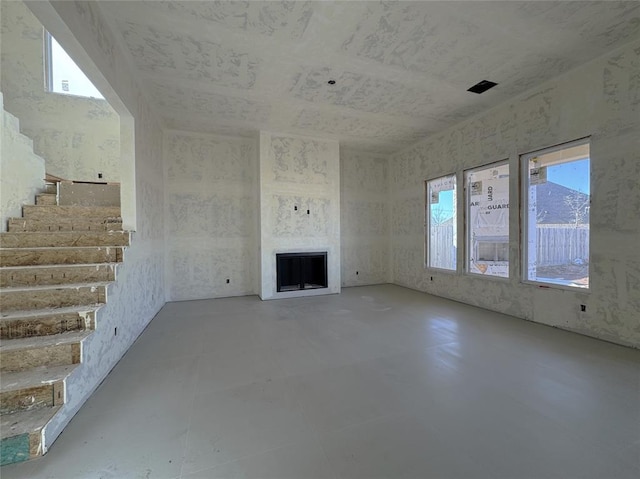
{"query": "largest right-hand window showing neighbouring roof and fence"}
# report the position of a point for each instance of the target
(556, 215)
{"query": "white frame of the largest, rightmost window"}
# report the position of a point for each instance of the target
(525, 177)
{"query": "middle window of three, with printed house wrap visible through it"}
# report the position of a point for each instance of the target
(487, 197)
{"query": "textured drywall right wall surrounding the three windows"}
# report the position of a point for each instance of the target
(600, 100)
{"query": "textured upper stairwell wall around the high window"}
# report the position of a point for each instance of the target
(77, 137)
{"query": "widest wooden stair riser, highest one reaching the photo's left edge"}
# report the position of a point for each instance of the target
(58, 239)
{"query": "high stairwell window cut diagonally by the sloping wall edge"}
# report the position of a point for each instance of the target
(62, 74)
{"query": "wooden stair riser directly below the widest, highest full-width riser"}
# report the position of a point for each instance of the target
(18, 257)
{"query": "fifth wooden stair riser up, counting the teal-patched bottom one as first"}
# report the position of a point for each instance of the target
(52, 298)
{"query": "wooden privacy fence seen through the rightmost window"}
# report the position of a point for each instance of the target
(562, 244)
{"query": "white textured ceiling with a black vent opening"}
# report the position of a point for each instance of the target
(401, 68)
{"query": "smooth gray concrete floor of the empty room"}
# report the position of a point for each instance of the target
(377, 382)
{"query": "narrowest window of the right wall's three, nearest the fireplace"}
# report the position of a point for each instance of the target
(441, 222)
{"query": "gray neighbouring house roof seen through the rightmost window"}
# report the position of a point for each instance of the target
(557, 204)
